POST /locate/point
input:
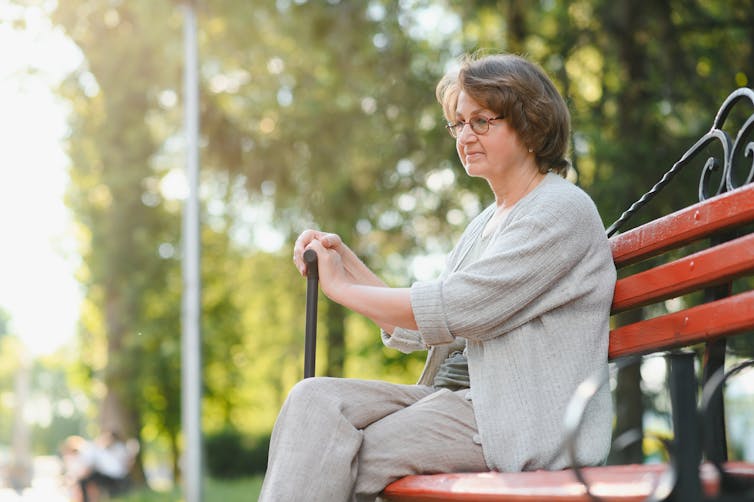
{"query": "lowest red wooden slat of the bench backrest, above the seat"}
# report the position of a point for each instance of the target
(711, 320)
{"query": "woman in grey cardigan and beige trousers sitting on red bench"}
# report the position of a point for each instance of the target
(518, 319)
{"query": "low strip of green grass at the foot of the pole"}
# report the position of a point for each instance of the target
(220, 490)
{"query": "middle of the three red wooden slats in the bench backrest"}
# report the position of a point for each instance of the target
(706, 268)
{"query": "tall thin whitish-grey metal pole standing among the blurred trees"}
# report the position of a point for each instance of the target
(191, 374)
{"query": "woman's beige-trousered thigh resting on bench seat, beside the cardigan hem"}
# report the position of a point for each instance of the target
(435, 434)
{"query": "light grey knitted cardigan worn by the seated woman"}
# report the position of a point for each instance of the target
(535, 310)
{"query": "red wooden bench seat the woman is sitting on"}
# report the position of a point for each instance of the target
(616, 483)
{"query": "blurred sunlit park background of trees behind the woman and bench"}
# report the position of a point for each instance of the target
(317, 113)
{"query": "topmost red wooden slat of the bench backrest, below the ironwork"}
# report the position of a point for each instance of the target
(724, 211)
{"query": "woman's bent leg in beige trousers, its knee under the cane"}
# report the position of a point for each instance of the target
(316, 440)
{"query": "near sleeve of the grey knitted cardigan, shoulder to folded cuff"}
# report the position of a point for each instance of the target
(539, 261)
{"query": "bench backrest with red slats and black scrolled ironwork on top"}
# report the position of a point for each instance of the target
(721, 226)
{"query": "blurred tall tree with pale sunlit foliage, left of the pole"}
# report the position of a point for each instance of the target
(114, 193)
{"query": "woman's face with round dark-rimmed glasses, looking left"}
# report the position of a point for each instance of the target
(493, 154)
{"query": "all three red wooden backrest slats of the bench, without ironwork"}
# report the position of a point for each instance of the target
(714, 266)
